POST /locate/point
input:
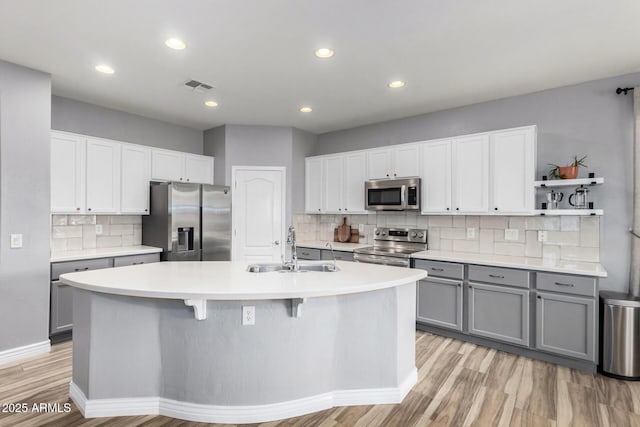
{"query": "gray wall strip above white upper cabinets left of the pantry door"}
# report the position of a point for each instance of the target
(88, 119)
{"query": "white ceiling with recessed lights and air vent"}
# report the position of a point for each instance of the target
(259, 54)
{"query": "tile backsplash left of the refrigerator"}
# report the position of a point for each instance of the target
(76, 232)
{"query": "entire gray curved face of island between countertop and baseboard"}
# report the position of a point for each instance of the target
(132, 347)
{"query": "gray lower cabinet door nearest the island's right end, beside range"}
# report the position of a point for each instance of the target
(440, 303)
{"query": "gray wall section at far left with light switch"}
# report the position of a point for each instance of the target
(25, 112)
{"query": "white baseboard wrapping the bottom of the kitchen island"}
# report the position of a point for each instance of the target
(238, 414)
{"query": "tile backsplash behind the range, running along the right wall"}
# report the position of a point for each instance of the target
(570, 238)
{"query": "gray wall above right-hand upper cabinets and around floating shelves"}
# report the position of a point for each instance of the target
(585, 119)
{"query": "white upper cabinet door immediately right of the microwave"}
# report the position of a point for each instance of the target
(436, 176)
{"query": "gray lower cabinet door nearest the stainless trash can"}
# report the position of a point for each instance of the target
(566, 325)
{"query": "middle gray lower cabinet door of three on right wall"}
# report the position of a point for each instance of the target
(499, 312)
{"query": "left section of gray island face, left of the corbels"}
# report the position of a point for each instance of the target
(123, 345)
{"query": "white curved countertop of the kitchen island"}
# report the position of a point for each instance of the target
(228, 280)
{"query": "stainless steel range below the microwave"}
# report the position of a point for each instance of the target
(393, 246)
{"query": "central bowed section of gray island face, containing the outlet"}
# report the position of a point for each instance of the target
(278, 359)
